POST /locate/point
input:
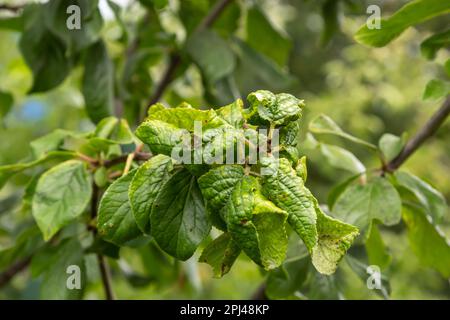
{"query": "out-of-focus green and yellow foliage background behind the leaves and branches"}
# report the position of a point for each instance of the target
(302, 47)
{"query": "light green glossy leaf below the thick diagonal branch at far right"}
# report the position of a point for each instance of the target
(431, 199)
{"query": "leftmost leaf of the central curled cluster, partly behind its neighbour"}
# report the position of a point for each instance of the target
(116, 222)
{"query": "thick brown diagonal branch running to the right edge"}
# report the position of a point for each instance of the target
(428, 130)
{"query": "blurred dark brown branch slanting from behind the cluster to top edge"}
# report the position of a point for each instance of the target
(175, 57)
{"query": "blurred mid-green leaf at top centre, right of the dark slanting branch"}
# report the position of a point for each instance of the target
(262, 36)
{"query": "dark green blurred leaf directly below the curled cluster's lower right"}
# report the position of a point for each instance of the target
(284, 281)
